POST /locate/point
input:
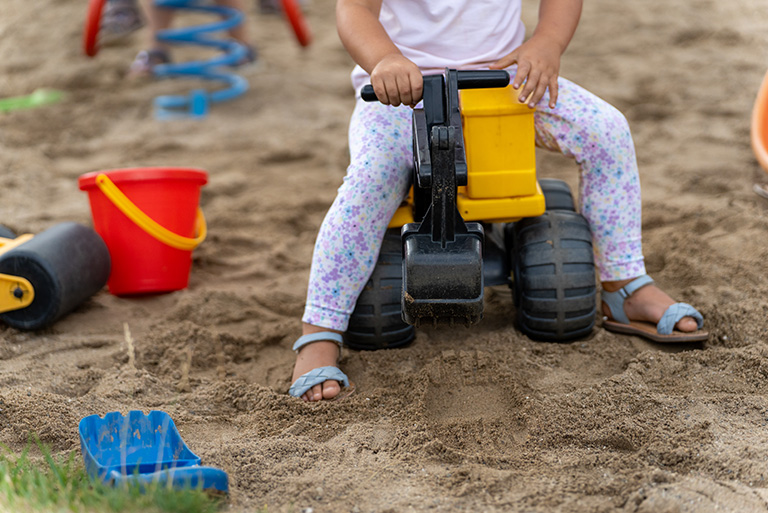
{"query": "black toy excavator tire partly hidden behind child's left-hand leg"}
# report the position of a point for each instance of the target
(377, 321)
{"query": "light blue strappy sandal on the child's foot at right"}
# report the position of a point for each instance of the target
(664, 331)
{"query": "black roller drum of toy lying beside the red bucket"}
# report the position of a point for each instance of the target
(65, 264)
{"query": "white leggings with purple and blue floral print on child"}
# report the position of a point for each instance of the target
(581, 126)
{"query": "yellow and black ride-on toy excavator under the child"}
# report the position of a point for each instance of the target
(477, 216)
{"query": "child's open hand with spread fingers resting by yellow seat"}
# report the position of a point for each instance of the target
(538, 66)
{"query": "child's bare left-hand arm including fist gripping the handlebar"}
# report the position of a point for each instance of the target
(394, 78)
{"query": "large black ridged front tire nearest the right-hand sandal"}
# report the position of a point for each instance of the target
(553, 269)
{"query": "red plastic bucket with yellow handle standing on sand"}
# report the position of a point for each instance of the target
(150, 221)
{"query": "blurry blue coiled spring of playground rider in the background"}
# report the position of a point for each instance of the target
(197, 103)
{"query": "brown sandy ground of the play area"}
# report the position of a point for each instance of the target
(479, 419)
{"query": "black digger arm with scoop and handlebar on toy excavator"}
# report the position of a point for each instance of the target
(442, 255)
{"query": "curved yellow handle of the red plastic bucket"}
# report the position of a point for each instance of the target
(148, 224)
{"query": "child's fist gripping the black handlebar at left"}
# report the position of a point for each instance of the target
(396, 80)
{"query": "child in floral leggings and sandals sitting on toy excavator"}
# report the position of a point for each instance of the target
(394, 42)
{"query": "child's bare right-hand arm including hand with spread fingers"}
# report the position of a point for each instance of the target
(538, 59)
